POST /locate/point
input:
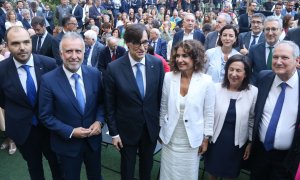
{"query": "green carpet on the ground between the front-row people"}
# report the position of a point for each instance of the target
(13, 167)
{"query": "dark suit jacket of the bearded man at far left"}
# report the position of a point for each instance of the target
(14, 99)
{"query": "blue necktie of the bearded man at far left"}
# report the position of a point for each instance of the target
(31, 91)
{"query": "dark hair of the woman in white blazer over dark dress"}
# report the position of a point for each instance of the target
(238, 58)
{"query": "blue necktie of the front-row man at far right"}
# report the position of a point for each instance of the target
(270, 135)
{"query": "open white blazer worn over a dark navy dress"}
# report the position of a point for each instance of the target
(245, 104)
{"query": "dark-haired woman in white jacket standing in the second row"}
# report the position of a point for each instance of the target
(218, 56)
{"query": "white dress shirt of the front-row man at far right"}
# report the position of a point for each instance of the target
(287, 121)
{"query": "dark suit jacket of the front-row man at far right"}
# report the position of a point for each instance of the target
(264, 83)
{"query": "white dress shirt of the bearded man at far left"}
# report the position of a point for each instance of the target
(22, 72)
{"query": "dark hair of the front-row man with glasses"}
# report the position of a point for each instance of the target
(134, 33)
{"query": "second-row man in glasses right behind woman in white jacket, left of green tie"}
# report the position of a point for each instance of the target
(255, 36)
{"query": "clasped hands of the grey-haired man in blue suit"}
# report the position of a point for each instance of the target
(93, 130)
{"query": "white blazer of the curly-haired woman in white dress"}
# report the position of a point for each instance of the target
(199, 108)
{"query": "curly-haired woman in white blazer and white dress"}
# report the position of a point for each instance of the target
(187, 113)
